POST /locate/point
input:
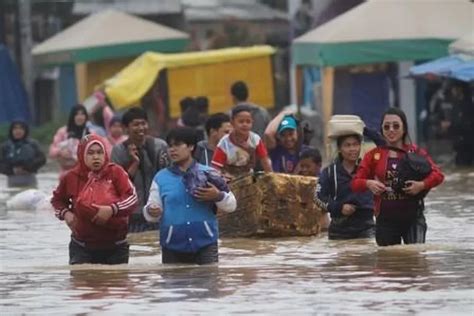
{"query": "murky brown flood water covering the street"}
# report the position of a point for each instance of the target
(264, 276)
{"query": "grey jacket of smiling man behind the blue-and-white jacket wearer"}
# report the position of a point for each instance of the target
(153, 157)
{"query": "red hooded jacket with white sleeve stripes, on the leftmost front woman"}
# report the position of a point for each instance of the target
(65, 198)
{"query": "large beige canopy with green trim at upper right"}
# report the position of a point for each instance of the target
(386, 30)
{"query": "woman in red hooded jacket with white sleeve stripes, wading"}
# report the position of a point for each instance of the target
(95, 199)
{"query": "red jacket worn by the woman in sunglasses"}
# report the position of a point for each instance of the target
(374, 166)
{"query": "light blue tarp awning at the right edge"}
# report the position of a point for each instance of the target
(459, 67)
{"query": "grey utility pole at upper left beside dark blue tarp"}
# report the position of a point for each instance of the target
(24, 15)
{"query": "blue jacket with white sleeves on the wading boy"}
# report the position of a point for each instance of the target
(187, 225)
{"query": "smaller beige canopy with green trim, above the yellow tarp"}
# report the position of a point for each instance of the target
(107, 35)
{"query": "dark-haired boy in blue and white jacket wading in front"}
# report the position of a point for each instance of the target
(185, 197)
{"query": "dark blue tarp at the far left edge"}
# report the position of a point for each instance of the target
(13, 97)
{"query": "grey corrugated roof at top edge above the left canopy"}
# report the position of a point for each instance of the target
(140, 7)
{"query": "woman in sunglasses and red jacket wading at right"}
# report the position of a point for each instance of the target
(399, 214)
